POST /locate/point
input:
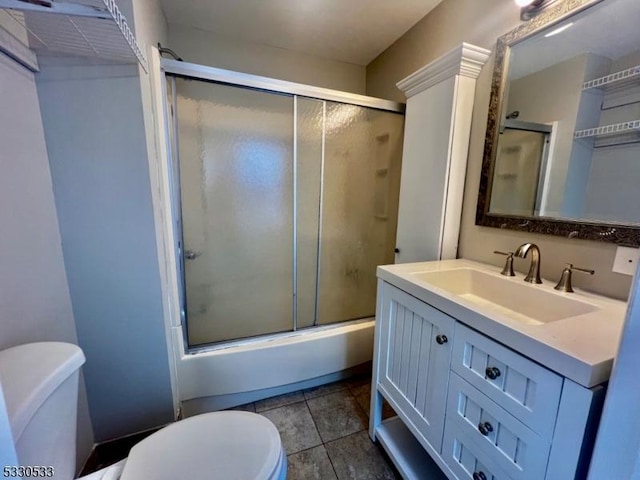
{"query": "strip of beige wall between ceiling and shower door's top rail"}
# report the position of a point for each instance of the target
(207, 48)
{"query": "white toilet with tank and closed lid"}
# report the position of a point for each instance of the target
(40, 385)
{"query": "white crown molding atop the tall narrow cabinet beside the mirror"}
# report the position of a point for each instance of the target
(466, 60)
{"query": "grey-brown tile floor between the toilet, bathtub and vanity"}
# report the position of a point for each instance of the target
(324, 432)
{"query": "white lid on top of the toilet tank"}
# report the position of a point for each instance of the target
(30, 373)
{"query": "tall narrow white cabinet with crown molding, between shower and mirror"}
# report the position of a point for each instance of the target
(440, 100)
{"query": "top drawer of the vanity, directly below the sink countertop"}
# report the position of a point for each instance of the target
(528, 391)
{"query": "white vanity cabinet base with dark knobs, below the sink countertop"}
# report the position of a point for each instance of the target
(470, 405)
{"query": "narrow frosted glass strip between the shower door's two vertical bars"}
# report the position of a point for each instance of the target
(309, 168)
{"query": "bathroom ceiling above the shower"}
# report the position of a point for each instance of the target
(353, 31)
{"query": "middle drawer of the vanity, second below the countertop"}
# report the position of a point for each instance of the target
(516, 449)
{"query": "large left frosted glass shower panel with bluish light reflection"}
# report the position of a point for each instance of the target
(236, 177)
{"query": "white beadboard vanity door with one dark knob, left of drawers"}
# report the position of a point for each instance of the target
(414, 357)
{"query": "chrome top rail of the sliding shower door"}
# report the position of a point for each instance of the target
(203, 72)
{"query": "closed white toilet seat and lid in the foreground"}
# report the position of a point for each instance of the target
(219, 445)
